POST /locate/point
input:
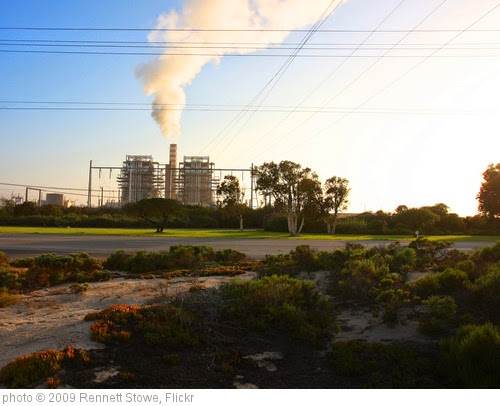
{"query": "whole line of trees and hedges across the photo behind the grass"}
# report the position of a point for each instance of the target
(294, 201)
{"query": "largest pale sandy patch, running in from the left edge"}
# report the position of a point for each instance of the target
(53, 317)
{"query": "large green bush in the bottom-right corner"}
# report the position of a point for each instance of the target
(472, 358)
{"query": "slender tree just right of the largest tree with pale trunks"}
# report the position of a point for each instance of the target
(336, 191)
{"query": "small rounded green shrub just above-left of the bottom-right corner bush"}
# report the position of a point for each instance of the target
(440, 316)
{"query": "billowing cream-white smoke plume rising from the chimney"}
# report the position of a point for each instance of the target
(167, 76)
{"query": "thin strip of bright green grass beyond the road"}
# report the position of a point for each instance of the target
(228, 233)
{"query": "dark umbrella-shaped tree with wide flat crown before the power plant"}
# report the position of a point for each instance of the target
(157, 212)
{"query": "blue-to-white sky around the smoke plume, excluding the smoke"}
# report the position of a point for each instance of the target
(418, 159)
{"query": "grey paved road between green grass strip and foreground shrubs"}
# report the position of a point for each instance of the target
(20, 245)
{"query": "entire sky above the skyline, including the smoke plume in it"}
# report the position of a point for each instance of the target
(422, 140)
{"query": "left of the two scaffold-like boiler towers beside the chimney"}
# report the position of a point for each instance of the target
(140, 178)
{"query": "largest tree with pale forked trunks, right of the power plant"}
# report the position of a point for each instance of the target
(294, 190)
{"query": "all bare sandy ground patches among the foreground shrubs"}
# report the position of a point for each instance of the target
(53, 317)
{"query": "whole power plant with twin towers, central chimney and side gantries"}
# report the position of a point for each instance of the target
(192, 181)
